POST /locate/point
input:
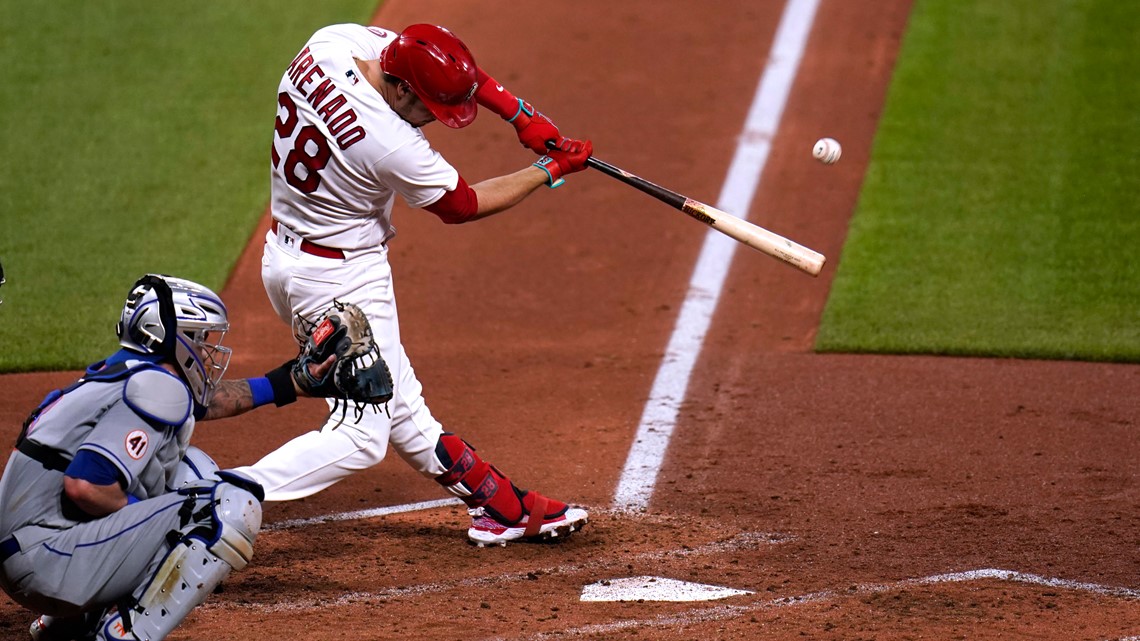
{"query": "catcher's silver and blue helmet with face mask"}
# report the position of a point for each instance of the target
(184, 323)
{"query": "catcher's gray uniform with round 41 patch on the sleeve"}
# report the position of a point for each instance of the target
(61, 562)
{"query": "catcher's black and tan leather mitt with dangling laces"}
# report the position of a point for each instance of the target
(360, 374)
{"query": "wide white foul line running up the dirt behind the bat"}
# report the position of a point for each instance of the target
(636, 488)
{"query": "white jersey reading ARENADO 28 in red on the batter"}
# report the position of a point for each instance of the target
(340, 153)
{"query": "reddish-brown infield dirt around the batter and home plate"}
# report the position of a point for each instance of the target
(851, 497)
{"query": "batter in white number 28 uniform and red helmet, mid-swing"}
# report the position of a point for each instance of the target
(347, 142)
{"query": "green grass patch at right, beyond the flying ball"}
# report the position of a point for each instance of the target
(1001, 212)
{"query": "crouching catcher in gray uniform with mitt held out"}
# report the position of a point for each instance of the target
(113, 526)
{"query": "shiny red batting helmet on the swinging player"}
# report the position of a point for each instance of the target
(441, 70)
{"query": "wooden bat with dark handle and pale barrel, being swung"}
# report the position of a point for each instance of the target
(753, 236)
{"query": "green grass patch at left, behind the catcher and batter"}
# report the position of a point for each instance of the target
(134, 139)
